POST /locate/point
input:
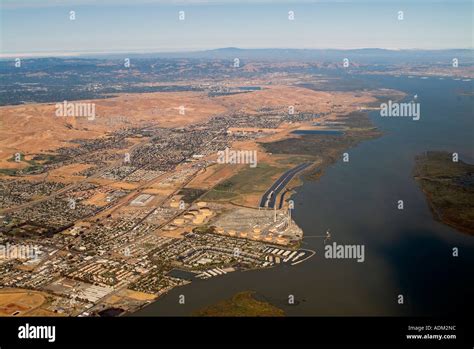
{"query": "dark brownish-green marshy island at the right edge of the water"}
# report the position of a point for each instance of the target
(449, 189)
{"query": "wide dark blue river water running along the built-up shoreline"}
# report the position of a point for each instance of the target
(407, 252)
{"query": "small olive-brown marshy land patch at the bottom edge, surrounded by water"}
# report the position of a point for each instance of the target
(241, 304)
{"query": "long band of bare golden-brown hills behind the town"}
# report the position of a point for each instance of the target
(34, 128)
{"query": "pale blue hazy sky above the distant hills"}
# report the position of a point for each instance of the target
(30, 27)
